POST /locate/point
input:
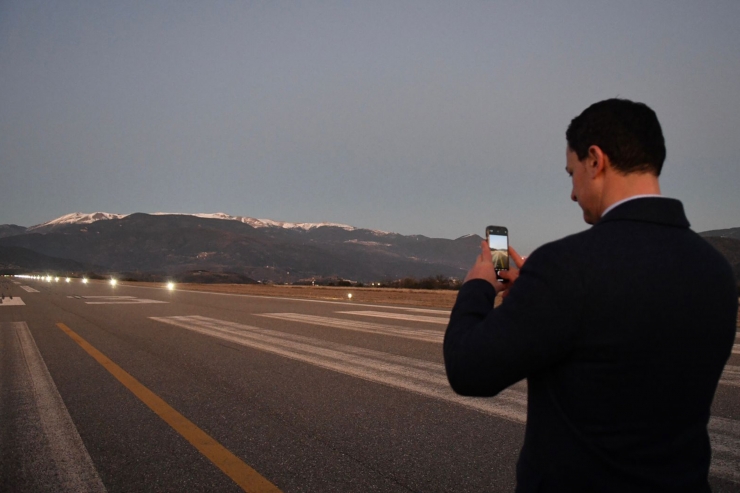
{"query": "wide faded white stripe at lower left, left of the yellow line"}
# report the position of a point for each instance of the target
(55, 452)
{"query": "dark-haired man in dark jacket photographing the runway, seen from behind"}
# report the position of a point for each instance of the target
(622, 331)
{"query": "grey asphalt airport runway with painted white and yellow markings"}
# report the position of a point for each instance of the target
(122, 388)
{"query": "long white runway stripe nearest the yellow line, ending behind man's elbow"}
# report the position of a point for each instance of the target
(418, 376)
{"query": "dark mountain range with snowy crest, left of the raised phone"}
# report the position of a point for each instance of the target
(183, 245)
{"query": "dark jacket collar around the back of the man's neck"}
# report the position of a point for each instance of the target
(658, 210)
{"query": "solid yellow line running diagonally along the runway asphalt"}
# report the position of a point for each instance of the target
(243, 475)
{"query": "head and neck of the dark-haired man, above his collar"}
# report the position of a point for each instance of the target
(615, 150)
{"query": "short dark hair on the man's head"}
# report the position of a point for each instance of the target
(628, 132)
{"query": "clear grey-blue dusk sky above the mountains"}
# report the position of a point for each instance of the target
(418, 117)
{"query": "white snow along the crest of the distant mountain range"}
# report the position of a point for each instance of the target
(88, 218)
